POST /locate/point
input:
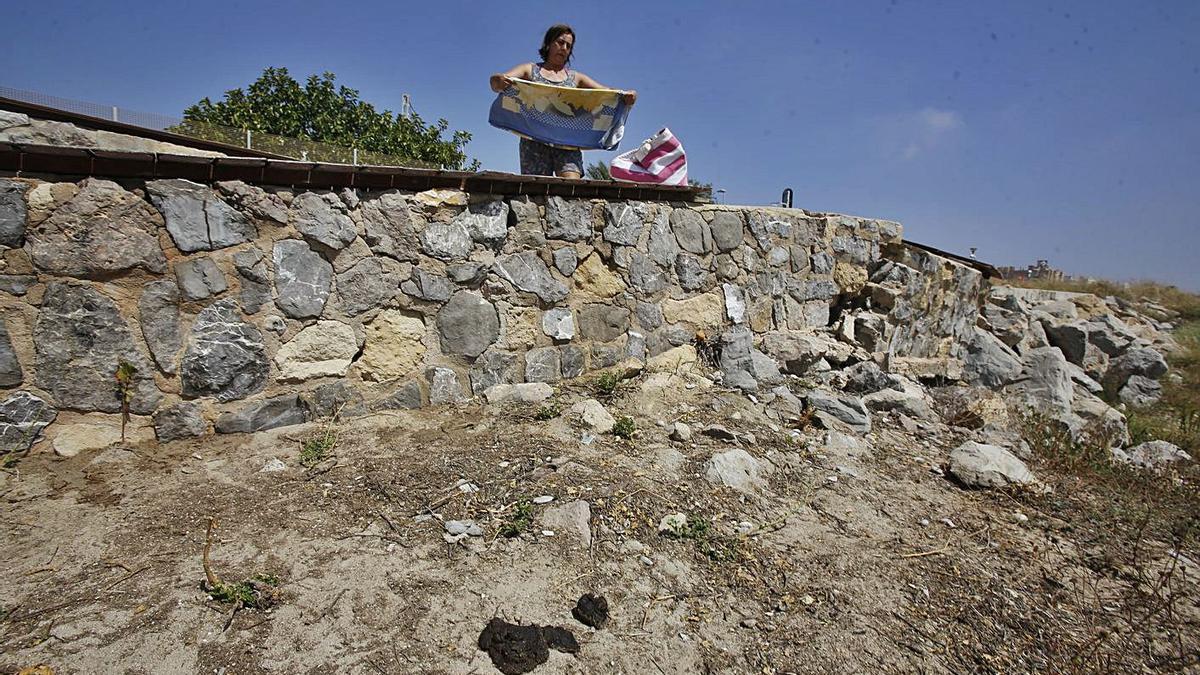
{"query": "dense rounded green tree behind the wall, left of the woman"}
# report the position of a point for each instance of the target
(329, 114)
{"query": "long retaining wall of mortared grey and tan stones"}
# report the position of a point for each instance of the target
(244, 308)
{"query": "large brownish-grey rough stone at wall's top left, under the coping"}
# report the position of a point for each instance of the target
(104, 230)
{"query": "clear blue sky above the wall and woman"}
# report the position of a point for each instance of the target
(1061, 130)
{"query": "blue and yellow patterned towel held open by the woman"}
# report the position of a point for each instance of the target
(566, 117)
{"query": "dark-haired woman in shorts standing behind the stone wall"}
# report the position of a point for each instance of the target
(538, 159)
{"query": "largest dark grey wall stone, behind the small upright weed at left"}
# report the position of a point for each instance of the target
(80, 341)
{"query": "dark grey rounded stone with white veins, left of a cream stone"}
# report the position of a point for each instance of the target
(226, 357)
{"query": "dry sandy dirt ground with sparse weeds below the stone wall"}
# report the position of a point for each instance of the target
(851, 558)
